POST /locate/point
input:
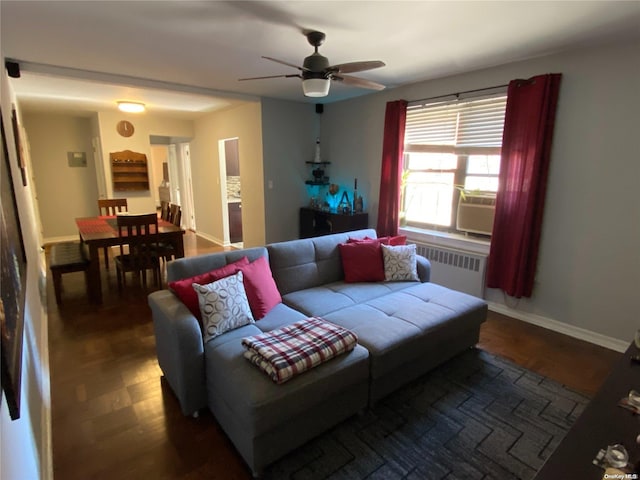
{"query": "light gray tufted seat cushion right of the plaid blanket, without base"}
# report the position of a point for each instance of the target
(400, 327)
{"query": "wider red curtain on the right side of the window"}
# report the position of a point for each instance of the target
(526, 147)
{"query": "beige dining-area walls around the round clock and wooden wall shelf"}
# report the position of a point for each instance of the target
(65, 193)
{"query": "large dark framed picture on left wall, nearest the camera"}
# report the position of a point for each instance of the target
(13, 280)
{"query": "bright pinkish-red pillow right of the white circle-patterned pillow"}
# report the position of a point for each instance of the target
(261, 288)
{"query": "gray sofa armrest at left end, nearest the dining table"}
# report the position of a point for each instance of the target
(180, 350)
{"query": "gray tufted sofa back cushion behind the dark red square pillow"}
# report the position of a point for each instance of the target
(309, 262)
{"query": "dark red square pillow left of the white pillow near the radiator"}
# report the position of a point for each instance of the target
(362, 261)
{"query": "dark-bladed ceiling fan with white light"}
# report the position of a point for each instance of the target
(316, 73)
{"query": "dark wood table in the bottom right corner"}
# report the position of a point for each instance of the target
(602, 423)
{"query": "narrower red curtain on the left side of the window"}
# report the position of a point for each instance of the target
(391, 173)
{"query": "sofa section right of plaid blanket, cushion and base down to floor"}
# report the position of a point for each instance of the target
(409, 332)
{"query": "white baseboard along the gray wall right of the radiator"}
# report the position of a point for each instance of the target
(560, 327)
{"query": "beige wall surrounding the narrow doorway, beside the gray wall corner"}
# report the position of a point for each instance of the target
(243, 122)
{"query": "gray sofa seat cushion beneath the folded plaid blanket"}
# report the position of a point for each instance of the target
(260, 404)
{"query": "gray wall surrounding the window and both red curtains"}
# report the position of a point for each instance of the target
(589, 266)
